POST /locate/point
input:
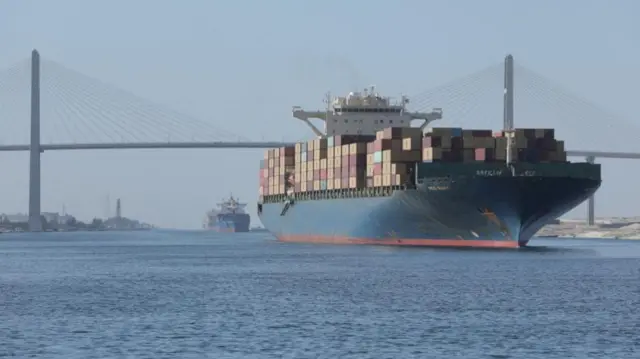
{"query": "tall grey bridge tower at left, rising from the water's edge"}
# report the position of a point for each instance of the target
(35, 222)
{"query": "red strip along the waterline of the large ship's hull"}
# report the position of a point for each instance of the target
(399, 241)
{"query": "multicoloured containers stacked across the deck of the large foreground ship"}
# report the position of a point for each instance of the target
(351, 162)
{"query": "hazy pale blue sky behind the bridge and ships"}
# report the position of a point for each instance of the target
(241, 65)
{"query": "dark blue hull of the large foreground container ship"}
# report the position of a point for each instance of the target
(467, 211)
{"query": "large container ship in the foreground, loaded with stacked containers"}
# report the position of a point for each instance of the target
(373, 178)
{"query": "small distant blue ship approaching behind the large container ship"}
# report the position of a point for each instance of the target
(230, 216)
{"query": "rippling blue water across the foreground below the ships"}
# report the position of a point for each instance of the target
(195, 295)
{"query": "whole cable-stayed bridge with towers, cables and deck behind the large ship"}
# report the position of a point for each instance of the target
(83, 113)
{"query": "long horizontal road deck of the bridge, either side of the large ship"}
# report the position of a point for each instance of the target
(225, 144)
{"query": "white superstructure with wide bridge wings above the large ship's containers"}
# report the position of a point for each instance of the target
(363, 113)
